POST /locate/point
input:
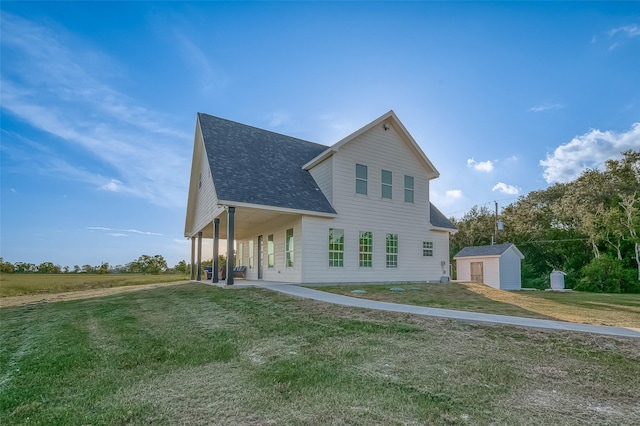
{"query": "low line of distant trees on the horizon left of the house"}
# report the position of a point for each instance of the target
(144, 264)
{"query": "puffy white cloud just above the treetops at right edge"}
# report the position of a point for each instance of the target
(588, 151)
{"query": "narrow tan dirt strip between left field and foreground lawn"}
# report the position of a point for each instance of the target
(77, 295)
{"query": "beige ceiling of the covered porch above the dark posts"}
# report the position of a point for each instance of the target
(247, 219)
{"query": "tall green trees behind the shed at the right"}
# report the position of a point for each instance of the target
(588, 228)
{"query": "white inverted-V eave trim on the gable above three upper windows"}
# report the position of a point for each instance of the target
(390, 119)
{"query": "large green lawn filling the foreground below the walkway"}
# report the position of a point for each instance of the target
(196, 354)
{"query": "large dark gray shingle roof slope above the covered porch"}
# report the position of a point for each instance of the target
(256, 166)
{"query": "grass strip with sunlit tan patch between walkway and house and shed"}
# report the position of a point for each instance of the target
(621, 310)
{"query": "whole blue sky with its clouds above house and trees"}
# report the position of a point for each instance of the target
(99, 102)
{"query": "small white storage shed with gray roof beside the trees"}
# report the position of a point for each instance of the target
(497, 265)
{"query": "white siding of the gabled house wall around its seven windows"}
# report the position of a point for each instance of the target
(378, 150)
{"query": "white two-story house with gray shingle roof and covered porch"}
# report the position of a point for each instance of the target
(297, 211)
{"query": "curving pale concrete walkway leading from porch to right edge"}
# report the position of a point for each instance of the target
(307, 293)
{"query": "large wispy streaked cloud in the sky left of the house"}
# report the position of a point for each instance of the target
(74, 101)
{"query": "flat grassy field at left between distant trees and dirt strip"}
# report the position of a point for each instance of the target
(24, 284)
